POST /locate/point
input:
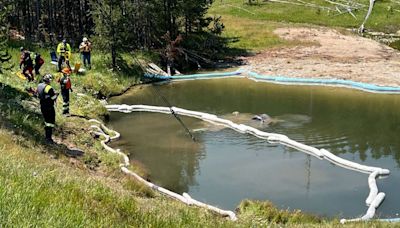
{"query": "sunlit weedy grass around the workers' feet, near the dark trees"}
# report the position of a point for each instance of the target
(99, 82)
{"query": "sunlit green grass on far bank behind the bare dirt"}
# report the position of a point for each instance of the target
(252, 25)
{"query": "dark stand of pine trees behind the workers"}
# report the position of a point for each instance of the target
(118, 26)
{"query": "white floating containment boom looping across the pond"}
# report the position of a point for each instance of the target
(373, 200)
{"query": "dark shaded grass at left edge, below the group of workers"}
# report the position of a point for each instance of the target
(25, 122)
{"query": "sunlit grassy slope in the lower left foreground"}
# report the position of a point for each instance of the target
(42, 192)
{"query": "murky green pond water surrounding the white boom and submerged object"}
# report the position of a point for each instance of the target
(224, 167)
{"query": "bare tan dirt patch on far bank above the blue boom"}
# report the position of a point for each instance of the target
(331, 55)
